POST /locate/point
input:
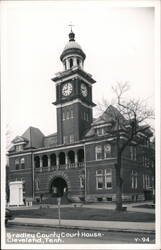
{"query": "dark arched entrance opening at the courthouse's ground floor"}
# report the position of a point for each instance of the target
(58, 187)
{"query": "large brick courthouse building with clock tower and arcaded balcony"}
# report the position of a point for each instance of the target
(77, 162)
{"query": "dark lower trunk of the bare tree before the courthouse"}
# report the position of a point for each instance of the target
(118, 184)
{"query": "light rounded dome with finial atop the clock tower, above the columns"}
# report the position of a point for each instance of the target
(72, 47)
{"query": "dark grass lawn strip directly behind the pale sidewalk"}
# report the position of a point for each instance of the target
(86, 214)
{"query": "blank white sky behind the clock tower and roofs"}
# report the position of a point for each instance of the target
(118, 43)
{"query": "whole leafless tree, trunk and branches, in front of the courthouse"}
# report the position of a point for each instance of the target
(130, 124)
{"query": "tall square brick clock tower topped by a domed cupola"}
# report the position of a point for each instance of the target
(73, 95)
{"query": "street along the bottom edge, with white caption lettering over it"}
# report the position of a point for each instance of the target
(39, 235)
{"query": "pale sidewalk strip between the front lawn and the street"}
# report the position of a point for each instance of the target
(140, 227)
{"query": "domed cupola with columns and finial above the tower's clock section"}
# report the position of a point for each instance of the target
(72, 55)
